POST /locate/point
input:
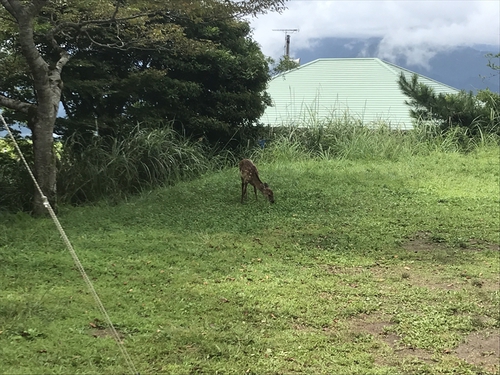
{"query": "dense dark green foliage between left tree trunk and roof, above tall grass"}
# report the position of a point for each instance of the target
(215, 91)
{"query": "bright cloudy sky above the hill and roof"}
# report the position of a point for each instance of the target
(414, 28)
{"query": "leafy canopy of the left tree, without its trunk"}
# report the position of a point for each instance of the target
(67, 27)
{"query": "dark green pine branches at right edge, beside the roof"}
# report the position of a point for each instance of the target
(476, 114)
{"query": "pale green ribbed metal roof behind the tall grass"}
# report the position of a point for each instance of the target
(361, 88)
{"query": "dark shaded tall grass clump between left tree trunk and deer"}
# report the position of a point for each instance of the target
(111, 168)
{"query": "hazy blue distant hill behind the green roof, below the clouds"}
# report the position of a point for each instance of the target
(462, 67)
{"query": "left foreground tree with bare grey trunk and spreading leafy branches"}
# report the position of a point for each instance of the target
(40, 36)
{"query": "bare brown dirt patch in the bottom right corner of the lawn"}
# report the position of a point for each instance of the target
(481, 349)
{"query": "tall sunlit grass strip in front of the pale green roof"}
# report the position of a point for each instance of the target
(347, 137)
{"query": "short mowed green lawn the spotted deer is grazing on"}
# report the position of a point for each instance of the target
(382, 267)
